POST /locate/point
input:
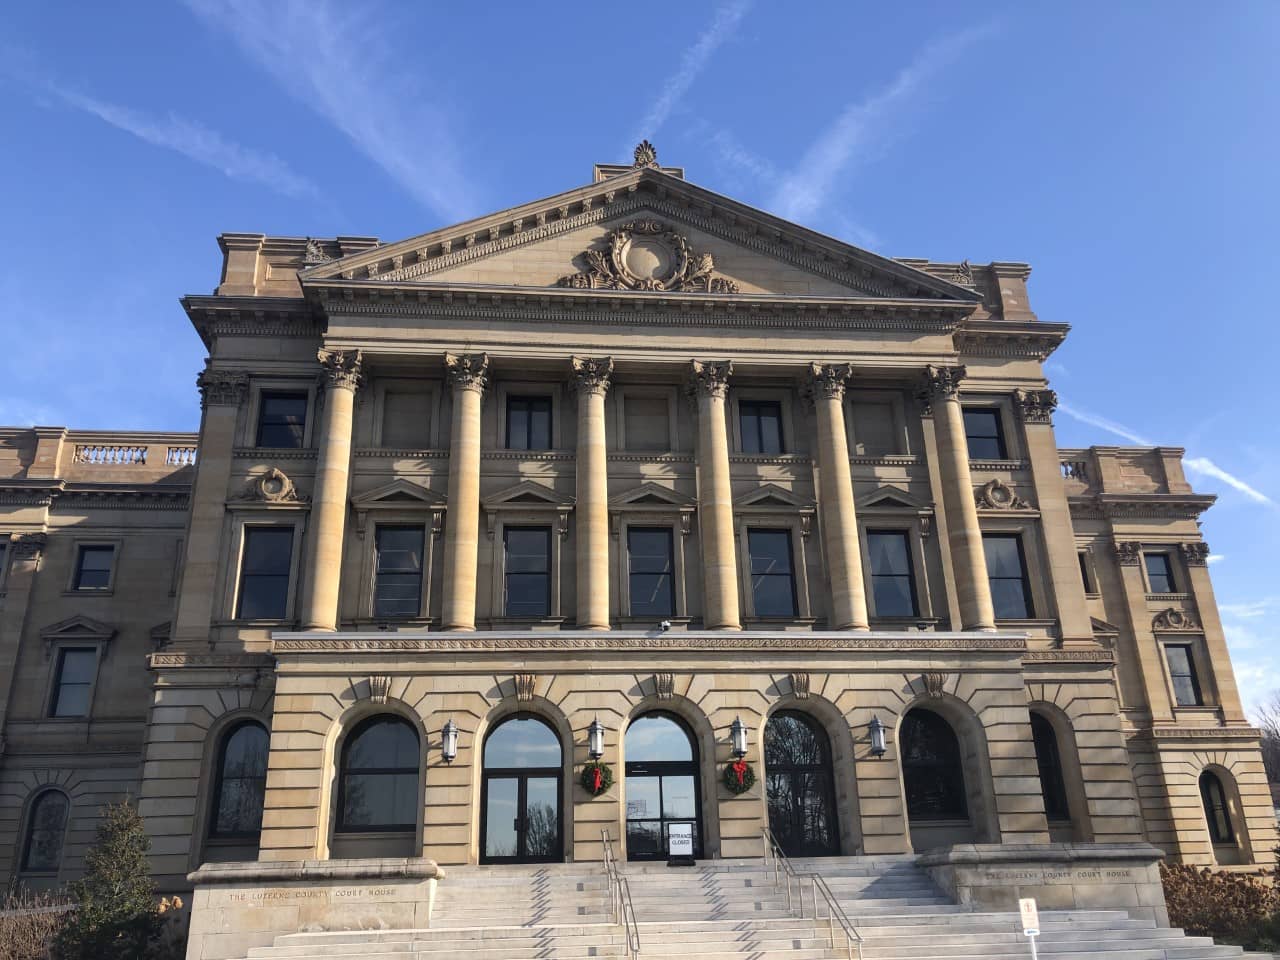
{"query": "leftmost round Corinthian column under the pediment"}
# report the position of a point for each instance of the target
(330, 500)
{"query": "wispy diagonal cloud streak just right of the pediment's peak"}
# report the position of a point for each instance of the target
(863, 129)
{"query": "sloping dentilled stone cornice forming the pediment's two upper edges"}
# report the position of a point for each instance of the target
(705, 209)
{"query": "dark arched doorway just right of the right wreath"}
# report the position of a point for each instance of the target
(799, 787)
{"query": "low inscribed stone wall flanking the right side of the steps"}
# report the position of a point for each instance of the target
(1059, 876)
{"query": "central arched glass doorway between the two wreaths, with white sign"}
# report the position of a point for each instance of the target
(661, 785)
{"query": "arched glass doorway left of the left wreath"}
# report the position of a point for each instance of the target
(520, 793)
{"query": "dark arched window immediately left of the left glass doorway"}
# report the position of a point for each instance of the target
(378, 778)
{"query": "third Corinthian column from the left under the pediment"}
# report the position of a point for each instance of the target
(592, 382)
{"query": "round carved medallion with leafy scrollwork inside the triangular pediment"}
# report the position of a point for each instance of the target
(648, 255)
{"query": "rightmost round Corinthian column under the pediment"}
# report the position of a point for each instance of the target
(964, 536)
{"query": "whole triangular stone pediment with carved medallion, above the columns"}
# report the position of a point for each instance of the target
(633, 231)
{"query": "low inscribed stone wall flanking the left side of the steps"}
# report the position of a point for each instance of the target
(239, 907)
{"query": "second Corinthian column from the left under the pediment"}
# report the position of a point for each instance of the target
(468, 373)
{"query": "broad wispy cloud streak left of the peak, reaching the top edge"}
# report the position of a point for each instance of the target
(327, 57)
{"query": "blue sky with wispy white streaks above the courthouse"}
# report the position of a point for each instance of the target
(1127, 152)
